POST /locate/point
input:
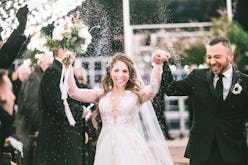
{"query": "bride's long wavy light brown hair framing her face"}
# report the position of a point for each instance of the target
(133, 84)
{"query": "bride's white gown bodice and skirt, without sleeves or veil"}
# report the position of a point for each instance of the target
(119, 142)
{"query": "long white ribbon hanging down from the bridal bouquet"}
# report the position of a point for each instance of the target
(64, 95)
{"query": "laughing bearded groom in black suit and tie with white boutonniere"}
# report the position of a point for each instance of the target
(218, 134)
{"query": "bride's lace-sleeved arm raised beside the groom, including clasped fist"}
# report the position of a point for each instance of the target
(150, 91)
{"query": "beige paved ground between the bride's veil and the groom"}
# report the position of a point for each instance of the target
(177, 149)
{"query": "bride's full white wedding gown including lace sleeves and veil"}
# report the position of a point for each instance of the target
(130, 133)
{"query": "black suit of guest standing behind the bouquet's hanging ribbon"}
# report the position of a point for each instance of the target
(58, 142)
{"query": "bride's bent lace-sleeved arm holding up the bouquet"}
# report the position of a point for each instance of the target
(80, 94)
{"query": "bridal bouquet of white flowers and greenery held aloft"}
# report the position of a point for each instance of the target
(71, 35)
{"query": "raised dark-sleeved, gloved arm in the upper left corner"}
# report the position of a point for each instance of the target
(14, 43)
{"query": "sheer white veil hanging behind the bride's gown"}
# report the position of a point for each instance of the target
(149, 127)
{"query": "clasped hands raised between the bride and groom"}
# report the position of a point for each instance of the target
(160, 56)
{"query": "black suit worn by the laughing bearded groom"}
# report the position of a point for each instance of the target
(213, 119)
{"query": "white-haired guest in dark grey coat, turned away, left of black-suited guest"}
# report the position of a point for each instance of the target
(27, 118)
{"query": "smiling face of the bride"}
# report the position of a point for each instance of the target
(119, 74)
